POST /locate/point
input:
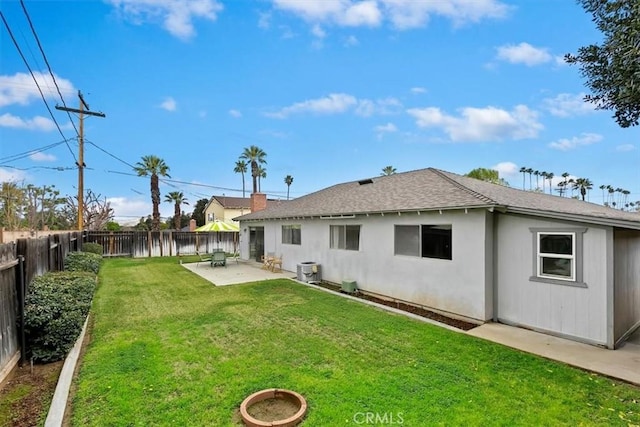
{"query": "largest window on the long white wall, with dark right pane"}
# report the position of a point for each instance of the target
(427, 241)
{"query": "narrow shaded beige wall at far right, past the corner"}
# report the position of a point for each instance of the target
(626, 282)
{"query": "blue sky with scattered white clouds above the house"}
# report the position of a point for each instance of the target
(331, 90)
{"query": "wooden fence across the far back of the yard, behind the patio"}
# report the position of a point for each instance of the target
(138, 244)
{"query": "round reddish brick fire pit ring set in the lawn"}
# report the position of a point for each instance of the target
(278, 394)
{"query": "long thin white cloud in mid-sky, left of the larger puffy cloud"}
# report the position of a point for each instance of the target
(339, 103)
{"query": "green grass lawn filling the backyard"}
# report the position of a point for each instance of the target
(168, 348)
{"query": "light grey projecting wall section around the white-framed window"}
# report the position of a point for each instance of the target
(578, 312)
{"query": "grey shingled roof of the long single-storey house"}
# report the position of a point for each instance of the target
(433, 189)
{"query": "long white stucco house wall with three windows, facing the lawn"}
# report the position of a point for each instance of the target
(457, 286)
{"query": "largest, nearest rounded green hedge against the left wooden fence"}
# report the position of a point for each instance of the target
(55, 310)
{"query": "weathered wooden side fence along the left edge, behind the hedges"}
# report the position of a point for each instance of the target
(20, 262)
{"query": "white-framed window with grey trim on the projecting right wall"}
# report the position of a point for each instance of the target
(558, 256)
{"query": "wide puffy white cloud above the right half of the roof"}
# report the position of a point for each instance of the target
(481, 124)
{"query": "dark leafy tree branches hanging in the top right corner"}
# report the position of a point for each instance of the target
(612, 69)
